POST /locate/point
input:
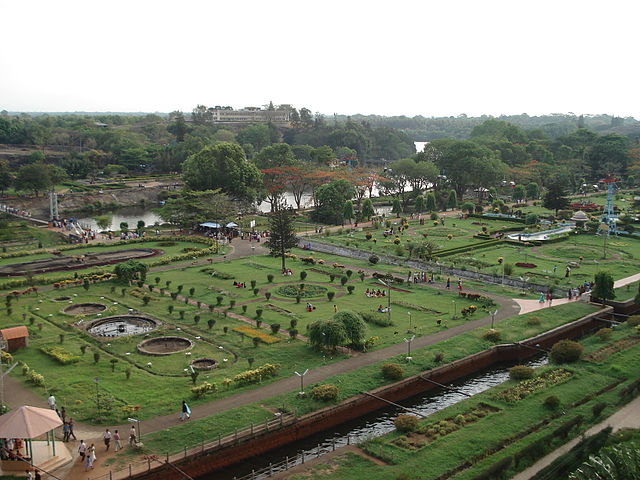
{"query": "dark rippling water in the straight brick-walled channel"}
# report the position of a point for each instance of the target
(372, 425)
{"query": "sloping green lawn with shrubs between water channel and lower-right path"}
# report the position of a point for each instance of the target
(495, 433)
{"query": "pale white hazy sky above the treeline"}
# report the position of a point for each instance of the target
(427, 57)
